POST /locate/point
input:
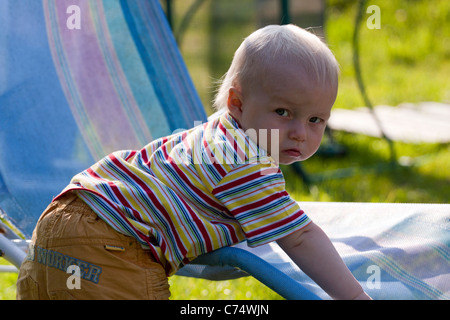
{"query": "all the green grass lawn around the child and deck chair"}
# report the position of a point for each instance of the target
(407, 60)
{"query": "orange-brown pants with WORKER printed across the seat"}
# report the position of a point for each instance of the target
(76, 255)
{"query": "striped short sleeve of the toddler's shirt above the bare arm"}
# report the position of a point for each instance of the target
(255, 196)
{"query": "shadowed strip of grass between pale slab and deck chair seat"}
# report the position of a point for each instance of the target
(365, 173)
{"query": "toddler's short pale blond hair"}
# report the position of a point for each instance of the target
(271, 43)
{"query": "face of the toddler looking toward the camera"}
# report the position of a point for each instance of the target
(287, 101)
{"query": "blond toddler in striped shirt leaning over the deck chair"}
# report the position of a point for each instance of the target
(137, 216)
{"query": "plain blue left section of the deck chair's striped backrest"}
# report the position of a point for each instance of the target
(37, 130)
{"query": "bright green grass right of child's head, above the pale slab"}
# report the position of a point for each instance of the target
(407, 60)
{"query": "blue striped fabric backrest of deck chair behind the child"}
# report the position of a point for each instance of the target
(70, 96)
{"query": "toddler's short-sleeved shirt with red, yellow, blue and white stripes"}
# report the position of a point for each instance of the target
(192, 192)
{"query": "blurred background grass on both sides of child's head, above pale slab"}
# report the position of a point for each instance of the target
(407, 60)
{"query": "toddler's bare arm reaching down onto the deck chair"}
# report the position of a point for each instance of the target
(311, 249)
